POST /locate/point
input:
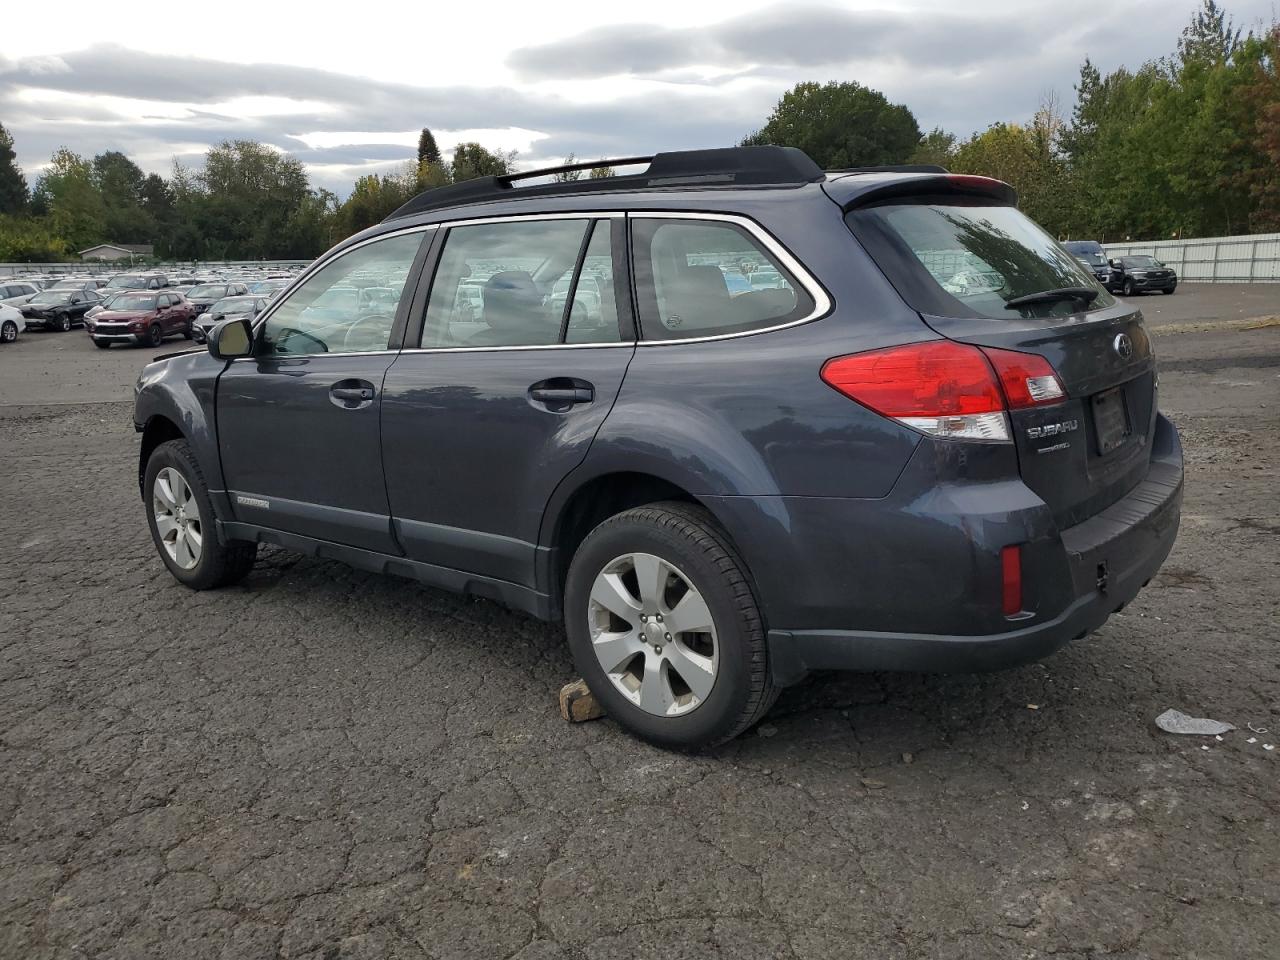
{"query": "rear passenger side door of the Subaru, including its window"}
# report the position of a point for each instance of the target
(523, 349)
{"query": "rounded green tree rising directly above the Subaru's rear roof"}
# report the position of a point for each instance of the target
(842, 125)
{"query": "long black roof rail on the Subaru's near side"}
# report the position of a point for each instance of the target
(756, 167)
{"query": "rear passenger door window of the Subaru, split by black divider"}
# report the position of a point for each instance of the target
(508, 285)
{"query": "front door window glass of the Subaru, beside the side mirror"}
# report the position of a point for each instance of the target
(326, 316)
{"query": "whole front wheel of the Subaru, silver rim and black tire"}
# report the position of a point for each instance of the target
(184, 524)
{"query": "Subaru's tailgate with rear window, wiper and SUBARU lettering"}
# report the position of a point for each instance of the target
(959, 260)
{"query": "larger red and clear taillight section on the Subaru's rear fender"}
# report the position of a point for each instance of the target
(941, 388)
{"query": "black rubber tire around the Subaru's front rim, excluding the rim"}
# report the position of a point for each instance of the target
(222, 563)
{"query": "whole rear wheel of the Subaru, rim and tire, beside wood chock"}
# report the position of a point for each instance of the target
(665, 628)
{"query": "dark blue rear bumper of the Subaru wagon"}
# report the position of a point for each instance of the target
(931, 602)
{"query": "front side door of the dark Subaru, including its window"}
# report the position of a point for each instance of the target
(299, 423)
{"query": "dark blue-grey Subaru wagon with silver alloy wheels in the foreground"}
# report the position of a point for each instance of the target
(929, 442)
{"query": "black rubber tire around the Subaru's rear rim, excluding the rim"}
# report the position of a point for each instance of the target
(689, 538)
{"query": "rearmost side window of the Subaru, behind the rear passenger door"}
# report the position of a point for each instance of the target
(705, 278)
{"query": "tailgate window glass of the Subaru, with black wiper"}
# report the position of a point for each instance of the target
(967, 259)
